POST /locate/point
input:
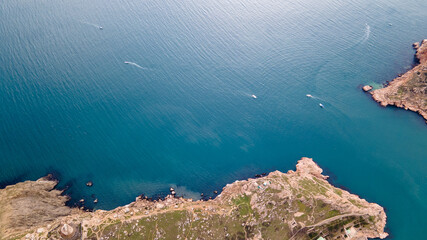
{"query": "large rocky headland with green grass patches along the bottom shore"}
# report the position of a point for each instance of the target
(298, 204)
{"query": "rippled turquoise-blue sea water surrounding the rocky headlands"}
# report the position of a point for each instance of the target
(183, 115)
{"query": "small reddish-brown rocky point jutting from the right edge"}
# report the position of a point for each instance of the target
(410, 90)
